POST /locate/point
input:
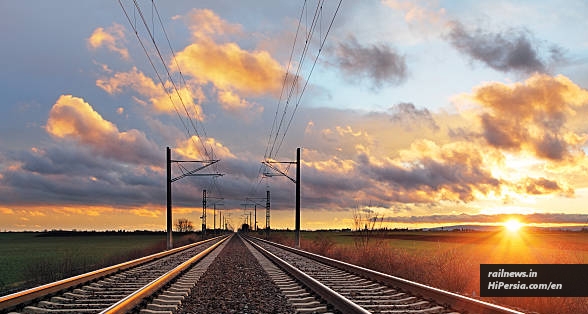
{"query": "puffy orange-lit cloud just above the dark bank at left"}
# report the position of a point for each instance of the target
(73, 118)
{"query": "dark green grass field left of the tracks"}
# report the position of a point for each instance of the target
(29, 256)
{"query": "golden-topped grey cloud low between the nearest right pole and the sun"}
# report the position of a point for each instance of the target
(454, 172)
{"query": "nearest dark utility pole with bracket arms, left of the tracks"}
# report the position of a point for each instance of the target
(170, 180)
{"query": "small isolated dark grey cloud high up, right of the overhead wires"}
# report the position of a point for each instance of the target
(379, 64)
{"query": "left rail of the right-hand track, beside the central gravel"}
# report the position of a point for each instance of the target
(340, 302)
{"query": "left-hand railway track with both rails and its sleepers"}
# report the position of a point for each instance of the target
(116, 289)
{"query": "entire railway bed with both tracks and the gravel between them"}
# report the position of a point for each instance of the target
(168, 282)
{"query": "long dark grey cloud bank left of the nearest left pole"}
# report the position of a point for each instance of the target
(68, 174)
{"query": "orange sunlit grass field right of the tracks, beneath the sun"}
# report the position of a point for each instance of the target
(450, 260)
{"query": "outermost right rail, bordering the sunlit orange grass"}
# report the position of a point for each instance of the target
(455, 301)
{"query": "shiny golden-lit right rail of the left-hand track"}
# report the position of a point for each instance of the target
(131, 301)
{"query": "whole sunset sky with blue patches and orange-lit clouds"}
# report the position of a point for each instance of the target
(416, 112)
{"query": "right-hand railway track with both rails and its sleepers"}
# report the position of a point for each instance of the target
(353, 289)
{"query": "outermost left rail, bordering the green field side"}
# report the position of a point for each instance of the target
(11, 301)
